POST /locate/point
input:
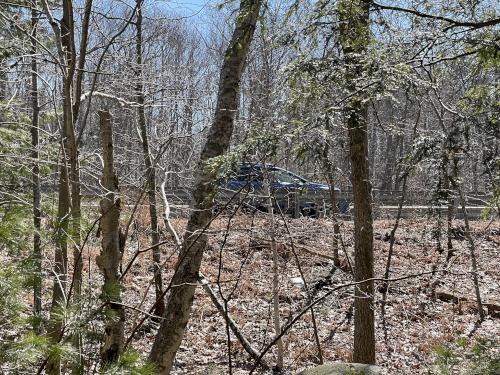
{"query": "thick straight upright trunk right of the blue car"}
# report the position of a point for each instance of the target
(355, 36)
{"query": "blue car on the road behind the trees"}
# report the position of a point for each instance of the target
(292, 193)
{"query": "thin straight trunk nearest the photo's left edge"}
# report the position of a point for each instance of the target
(37, 254)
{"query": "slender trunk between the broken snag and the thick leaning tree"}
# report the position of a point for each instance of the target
(150, 169)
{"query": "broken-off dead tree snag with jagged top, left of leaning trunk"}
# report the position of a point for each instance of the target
(112, 248)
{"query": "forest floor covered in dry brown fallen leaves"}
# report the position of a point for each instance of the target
(238, 264)
